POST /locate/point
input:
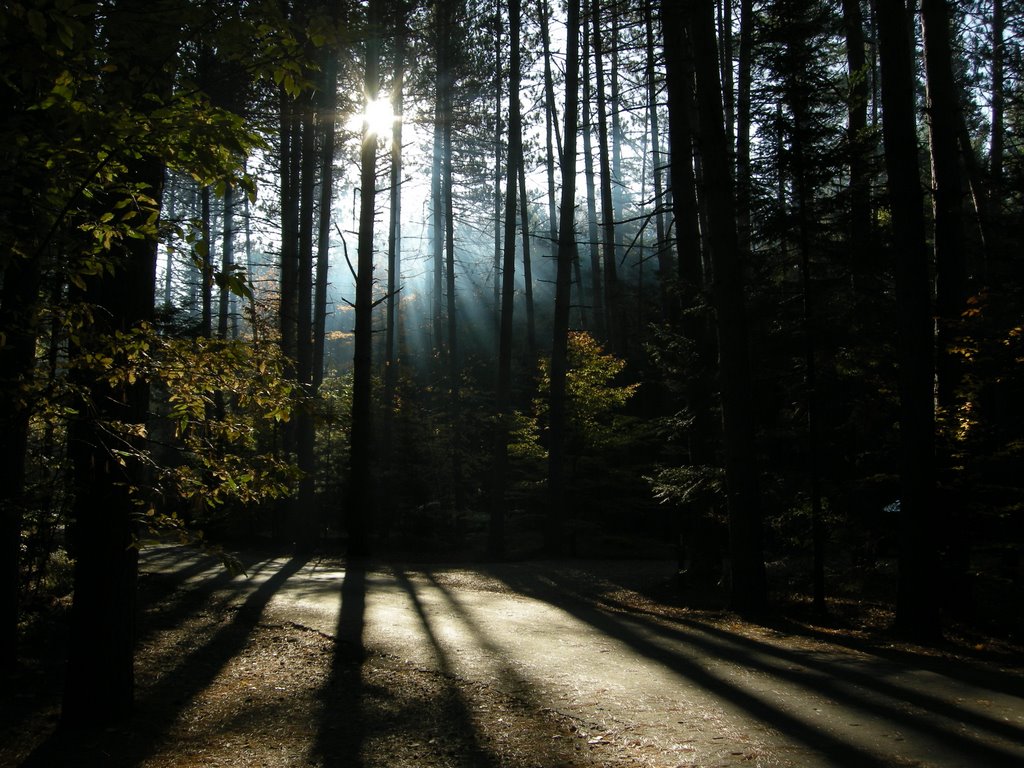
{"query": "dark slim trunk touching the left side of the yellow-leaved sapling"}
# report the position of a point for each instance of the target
(556, 534)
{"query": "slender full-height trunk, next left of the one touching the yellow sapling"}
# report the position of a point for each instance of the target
(496, 537)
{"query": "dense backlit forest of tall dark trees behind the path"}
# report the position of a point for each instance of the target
(734, 284)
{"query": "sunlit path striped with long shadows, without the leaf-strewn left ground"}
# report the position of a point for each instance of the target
(587, 675)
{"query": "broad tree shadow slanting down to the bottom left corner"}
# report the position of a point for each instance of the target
(162, 703)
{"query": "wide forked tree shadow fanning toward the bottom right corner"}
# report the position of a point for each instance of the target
(827, 679)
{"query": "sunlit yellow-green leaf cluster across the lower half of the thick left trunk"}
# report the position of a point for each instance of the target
(206, 461)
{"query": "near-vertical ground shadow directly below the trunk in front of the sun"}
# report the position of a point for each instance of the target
(344, 723)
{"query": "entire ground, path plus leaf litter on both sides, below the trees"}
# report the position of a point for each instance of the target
(531, 665)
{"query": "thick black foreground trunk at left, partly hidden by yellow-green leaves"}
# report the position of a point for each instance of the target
(100, 675)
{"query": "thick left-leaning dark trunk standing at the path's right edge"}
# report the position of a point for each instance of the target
(749, 591)
